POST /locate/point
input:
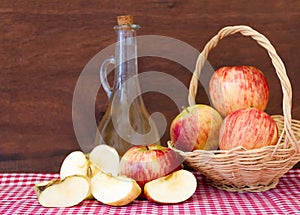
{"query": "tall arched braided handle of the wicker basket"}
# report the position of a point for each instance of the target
(276, 61)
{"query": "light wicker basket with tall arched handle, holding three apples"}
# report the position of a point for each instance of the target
(248, 170)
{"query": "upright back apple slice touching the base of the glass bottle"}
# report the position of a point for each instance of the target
(105, 158)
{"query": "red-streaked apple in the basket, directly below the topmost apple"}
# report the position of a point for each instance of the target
(250, 128)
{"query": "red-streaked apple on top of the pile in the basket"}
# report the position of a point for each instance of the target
(237, 87)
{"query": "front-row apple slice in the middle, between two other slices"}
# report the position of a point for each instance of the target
(114, 190)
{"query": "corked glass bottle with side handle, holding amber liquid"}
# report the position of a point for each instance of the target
(126, 121)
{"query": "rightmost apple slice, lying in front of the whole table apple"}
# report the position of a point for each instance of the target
(173, 188)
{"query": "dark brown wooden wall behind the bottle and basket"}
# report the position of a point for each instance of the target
(45, 44)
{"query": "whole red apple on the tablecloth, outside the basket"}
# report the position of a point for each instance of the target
(146, 163)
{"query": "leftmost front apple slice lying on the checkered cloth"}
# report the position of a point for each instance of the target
(67, 192)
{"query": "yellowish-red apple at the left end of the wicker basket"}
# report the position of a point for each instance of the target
(196, 127)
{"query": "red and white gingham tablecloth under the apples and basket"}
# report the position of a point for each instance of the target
(17, 197)
